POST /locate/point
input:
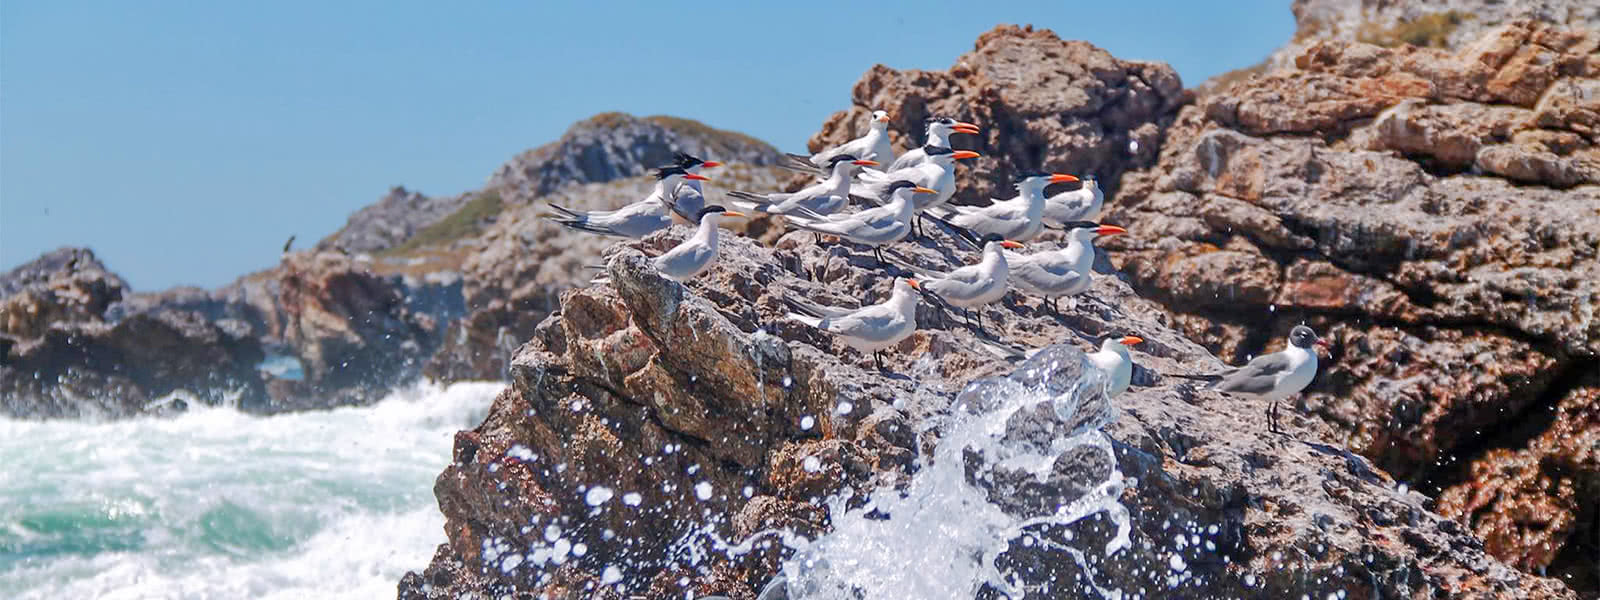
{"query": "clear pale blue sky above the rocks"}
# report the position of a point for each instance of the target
(185, 142)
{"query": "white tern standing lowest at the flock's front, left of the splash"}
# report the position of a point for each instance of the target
(870, 329)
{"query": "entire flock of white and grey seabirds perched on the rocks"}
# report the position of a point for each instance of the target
(897, 196)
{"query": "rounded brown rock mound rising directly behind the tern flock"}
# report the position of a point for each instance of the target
(1042, 103)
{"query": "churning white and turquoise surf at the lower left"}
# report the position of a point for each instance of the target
(222, 505)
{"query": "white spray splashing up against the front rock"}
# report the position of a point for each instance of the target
(943, 535)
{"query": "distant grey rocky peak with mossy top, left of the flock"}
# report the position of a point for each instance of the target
(615, 146)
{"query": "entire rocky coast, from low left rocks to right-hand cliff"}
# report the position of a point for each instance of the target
(1420, 183)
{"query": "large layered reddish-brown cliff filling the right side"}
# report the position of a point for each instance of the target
(1436, 214)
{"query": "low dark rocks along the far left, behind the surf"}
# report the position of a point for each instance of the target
(79, 345)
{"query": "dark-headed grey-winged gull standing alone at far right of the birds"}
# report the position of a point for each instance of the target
(1274, 377)
